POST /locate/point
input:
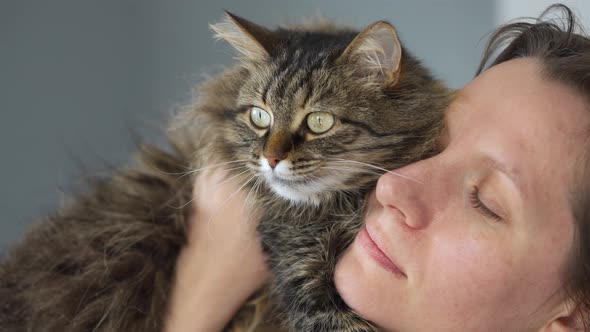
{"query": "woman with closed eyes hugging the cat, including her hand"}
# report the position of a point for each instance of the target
(495, 239)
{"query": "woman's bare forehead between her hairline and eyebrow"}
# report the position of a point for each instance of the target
(513, 97)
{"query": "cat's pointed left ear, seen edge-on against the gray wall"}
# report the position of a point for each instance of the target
(251, 40)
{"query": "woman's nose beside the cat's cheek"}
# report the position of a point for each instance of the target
(405, 194)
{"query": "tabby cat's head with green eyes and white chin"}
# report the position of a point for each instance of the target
(322, 109)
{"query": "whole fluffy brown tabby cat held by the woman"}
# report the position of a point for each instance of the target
(308, 119)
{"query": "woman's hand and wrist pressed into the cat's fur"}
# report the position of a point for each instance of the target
(223, 263)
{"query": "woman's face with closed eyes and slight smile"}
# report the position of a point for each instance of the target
(480, 239)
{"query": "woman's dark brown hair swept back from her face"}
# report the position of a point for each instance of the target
(564, 51)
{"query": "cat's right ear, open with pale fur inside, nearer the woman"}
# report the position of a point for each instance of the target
(376, 53)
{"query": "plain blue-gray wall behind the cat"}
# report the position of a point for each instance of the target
(77, 76)
